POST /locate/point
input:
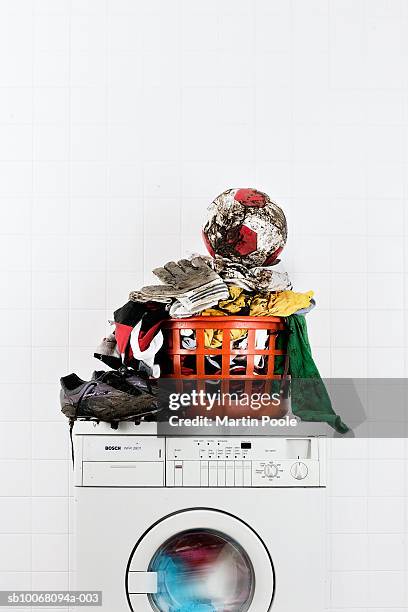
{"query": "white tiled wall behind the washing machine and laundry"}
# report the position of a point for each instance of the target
(120, 120)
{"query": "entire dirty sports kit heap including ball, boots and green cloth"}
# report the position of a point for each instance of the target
(244, 234)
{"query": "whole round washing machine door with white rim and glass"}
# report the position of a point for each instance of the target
(200, 560)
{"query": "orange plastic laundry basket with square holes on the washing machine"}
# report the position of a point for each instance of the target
(249, 381)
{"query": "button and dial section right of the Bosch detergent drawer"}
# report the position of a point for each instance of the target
(238, 462)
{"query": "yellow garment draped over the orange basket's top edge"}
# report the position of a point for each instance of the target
(279, 304)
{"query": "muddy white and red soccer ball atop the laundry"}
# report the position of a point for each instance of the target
(245, 226)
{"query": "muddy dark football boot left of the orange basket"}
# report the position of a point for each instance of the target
(97, 399)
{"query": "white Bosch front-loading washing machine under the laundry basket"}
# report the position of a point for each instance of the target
(199, 523)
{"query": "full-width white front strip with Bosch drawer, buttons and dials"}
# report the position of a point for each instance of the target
(149, 461)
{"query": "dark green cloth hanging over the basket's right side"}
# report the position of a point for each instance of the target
(309, 397)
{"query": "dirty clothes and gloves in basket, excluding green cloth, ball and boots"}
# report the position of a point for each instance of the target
(193, 288)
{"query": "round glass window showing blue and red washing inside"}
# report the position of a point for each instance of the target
(202, 570)
